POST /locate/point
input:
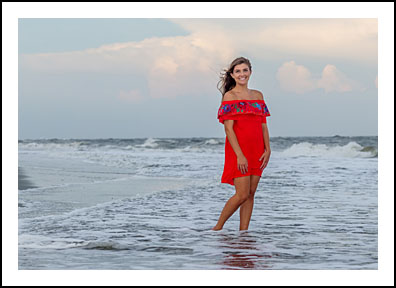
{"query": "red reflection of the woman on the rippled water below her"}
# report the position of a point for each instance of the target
(243, 252)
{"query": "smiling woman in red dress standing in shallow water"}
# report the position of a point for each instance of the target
(247, 150)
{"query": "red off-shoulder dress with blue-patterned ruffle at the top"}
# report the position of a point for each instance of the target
(248, 116)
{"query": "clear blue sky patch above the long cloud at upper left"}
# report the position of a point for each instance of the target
(50, 35)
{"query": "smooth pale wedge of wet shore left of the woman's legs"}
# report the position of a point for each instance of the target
(67, 188)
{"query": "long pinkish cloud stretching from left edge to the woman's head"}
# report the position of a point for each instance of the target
(173, 66)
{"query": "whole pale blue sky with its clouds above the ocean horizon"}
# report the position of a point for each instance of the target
(157, 77)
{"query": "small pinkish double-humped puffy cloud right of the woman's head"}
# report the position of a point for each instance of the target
(298, 79)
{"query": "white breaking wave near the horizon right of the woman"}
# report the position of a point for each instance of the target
(350, 150)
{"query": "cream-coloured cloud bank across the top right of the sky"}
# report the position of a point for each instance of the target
(350, 39)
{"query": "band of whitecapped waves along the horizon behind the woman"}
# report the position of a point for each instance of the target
(298, 146)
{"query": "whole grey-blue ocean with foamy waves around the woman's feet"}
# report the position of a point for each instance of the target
(150, 204)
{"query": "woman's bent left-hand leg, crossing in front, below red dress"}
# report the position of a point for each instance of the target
(242, 188)
